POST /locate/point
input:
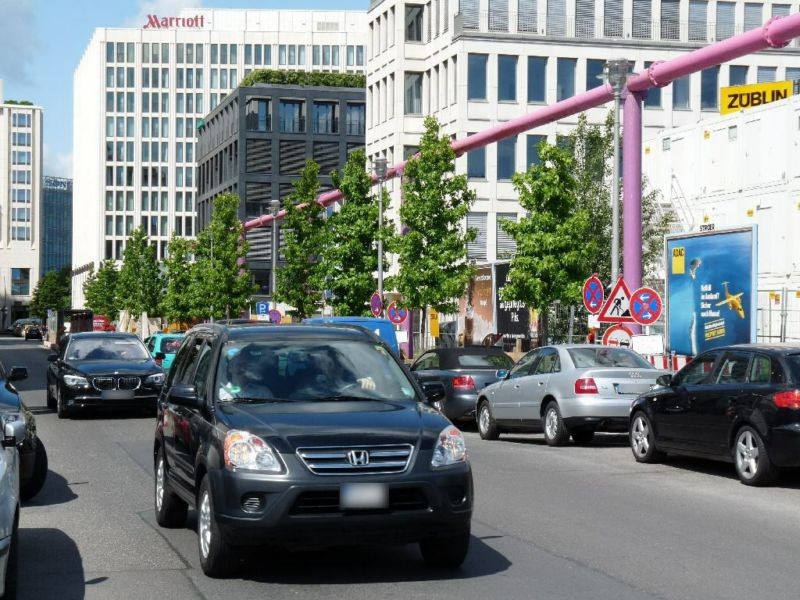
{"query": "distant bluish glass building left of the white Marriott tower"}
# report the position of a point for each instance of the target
(55, 251)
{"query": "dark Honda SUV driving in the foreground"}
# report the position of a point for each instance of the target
(306, 436)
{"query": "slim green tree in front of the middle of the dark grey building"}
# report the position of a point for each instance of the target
(300, 282)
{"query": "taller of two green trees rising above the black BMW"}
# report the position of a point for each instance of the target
(139, 287)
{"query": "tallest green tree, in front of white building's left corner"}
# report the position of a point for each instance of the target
(432, 255)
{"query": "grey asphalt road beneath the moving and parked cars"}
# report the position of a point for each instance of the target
(565, 523)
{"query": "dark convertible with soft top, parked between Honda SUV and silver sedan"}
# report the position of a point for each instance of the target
(464, 373)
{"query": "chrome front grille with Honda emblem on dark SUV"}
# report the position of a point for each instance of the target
(350, 460)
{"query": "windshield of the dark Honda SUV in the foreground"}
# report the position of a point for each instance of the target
(309, 370)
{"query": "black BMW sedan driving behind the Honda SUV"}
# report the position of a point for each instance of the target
(102, 370)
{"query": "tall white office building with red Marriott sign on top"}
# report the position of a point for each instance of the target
(140, 93)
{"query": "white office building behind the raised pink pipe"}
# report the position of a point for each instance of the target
(476, 63)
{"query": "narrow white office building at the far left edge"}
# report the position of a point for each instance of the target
(20, 193)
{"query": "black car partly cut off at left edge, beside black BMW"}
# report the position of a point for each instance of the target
(32, 453)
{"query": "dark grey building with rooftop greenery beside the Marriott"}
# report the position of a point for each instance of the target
(256, 142)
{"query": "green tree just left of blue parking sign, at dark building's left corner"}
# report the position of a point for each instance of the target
(222, 285)
